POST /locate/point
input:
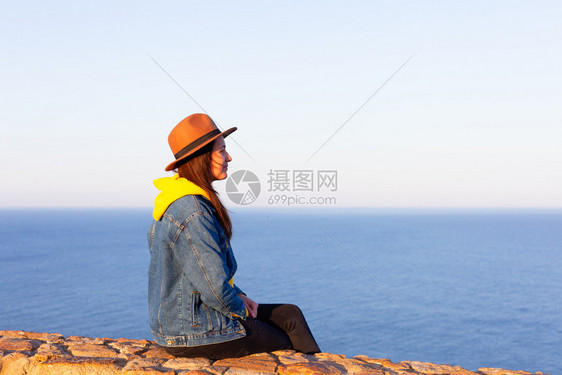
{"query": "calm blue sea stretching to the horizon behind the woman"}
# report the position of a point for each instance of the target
(474, 288)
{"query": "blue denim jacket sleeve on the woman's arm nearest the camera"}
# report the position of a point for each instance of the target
(198, 249)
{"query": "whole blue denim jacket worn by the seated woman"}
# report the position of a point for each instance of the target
(190, 299)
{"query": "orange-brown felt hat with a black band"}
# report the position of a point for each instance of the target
(191, 134)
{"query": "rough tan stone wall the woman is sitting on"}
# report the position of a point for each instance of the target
(34, 353)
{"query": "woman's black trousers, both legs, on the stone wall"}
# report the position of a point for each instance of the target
(277, 327)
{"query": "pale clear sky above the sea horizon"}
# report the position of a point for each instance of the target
(473, 119)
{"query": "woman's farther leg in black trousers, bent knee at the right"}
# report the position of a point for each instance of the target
(289, 319)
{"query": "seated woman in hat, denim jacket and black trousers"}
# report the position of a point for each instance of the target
(195, 309)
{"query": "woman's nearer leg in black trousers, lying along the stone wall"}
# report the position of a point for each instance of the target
(260, 337)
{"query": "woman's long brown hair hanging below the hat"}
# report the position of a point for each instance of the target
(197, 169)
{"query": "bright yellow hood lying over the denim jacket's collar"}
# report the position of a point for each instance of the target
(172, 189)
